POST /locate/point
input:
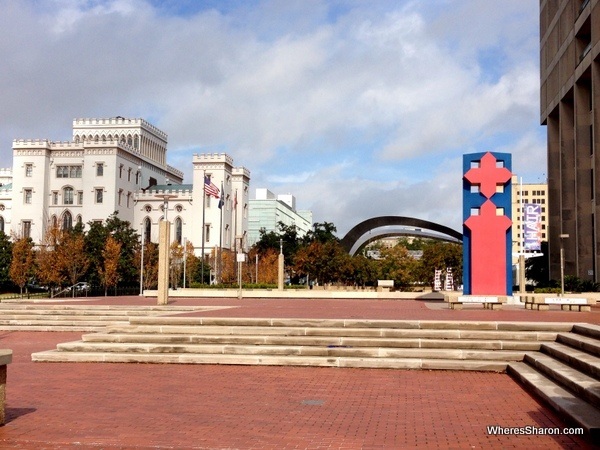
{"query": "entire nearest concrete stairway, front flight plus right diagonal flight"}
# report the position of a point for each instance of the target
(560, 362)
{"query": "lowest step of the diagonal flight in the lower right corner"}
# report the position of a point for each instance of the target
(573, 409)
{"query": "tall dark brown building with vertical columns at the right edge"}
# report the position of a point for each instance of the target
(570, 109)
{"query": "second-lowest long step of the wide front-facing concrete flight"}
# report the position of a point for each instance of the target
(292, 350)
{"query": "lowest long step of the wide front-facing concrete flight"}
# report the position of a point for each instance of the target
(349, 362)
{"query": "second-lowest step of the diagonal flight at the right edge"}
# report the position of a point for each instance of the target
(584, 386)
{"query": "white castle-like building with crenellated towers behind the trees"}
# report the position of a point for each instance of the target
(119, 164)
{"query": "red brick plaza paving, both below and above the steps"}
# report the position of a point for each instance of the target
(135, 406)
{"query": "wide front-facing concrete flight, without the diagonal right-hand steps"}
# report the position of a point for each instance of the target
(401, 344)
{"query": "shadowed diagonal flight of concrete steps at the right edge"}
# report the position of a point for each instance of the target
(566, 374)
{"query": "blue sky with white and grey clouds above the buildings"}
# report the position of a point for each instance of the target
(357, 108)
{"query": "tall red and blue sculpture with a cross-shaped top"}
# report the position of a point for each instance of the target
(487, 224)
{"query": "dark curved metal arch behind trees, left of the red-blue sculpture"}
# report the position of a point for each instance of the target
(355, 239)
